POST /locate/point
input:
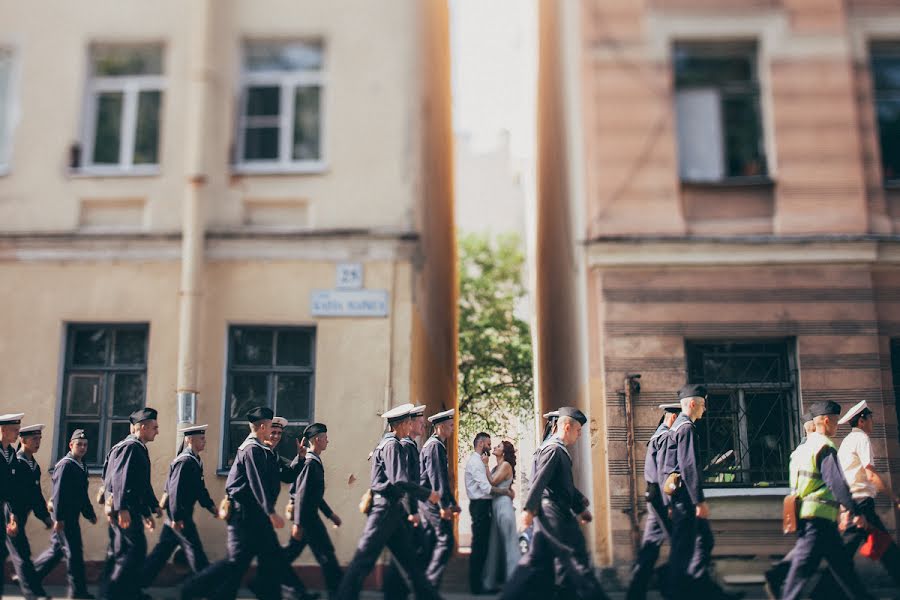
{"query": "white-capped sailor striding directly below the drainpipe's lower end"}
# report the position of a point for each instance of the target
(184, 488)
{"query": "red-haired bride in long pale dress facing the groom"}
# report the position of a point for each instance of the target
(503, 547)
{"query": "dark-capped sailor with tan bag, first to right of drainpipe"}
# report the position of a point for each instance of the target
(252, 488)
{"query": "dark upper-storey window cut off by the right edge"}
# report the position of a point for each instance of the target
(886, 77)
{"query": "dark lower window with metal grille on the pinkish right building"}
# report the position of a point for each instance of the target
(751, 423)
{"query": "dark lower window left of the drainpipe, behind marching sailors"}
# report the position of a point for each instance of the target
(105, 381)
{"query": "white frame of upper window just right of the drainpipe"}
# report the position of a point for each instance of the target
(287, 82)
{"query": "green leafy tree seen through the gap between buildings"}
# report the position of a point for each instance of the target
(495, 378)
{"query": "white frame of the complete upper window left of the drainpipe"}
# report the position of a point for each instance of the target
(130, 86)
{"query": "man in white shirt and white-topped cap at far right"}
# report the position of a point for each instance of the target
(858, 463)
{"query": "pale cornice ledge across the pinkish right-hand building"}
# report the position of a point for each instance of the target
(656, 251)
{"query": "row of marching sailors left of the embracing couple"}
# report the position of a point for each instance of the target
(409, 508)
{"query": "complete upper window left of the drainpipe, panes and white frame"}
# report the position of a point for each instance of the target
(124, 100)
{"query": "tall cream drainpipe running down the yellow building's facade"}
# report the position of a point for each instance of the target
(193, 222)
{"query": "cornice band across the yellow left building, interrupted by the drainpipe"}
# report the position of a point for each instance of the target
(225, 245)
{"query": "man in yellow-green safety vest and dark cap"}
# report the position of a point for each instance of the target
(819, 483)
